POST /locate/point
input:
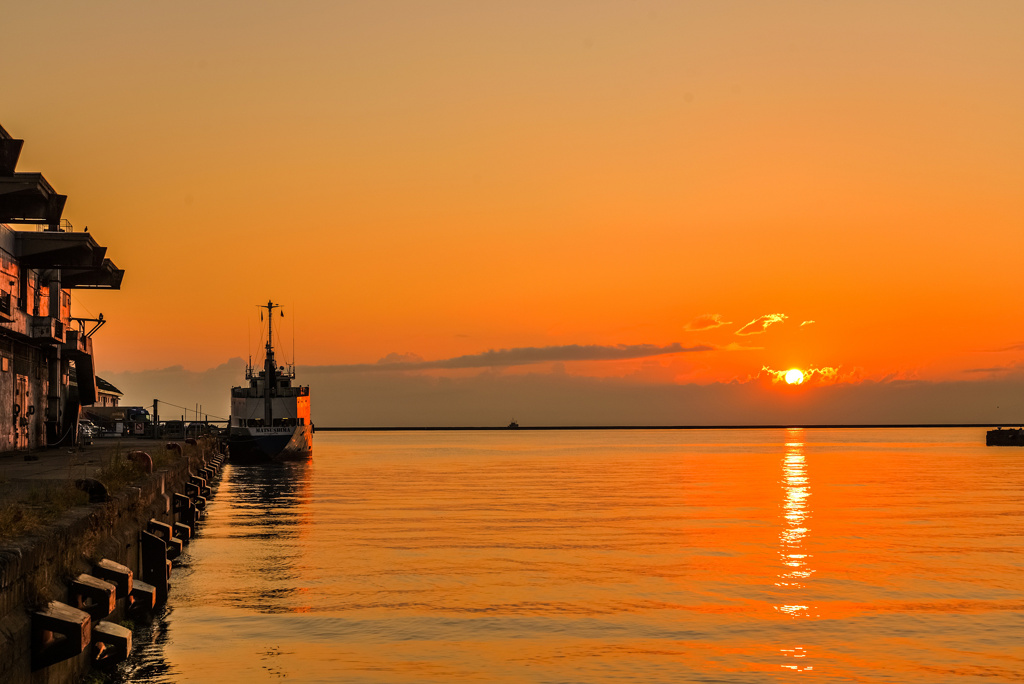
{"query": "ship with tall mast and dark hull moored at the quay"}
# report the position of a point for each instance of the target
(271, 415)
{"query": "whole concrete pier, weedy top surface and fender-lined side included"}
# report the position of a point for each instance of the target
(67, 584)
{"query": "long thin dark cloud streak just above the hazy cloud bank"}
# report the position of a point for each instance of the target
(525, 357)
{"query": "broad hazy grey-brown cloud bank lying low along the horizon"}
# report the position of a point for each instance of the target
(343, 399)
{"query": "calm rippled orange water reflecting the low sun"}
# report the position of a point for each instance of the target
(647, 557)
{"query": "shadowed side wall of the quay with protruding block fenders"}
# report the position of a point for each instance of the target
(65, 589)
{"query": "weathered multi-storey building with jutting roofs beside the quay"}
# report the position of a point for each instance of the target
(42, 260)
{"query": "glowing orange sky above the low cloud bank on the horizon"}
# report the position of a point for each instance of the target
(447, 179)
